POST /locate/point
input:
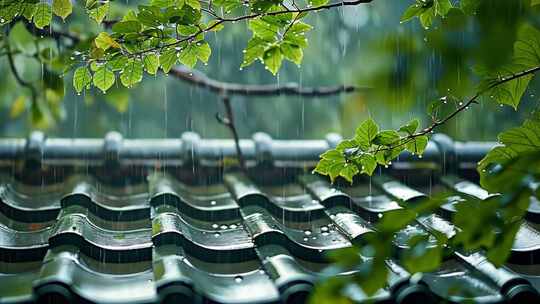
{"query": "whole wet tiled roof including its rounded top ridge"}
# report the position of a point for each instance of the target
(147, 221)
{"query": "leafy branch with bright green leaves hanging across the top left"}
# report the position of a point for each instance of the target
(164, 33)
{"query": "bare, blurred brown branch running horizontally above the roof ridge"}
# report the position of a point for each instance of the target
(226, 88)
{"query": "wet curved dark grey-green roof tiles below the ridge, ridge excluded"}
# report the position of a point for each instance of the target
(230, 240)
